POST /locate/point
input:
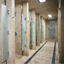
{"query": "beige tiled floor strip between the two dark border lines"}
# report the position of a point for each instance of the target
(44, 56)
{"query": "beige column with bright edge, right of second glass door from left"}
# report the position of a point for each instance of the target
(26, 13)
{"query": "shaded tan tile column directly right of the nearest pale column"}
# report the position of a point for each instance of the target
(18, 26)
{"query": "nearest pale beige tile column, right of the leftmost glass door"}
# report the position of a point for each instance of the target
(11, 8)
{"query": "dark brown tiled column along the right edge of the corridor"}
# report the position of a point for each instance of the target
(61, 30)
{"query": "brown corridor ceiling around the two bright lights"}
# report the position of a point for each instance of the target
(49, 7)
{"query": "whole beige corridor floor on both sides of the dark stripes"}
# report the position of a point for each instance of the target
(44, 56)
